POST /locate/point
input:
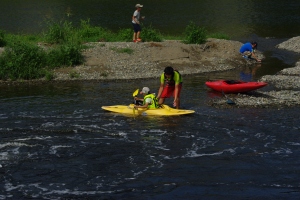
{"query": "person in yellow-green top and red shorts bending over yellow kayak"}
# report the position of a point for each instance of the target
(170, 85)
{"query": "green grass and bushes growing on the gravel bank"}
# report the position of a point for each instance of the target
(28, 56)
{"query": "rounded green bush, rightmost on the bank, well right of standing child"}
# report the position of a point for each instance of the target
(195, 34)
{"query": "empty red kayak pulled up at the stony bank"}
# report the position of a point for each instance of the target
(234, 86)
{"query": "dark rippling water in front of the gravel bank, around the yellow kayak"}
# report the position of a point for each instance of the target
(56, 142)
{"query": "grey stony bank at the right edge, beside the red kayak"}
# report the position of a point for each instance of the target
(286, 84)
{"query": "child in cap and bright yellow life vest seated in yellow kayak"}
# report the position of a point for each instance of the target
(149, 100)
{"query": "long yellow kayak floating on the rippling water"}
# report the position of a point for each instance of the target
(164, 110)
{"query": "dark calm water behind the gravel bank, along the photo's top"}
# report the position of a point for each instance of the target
(238, 19)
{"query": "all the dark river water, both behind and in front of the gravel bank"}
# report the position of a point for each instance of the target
(57, 142)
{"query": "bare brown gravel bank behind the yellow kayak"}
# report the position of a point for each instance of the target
(125, 60)
